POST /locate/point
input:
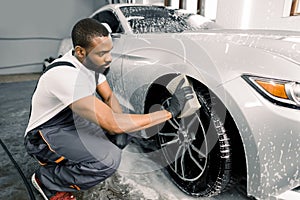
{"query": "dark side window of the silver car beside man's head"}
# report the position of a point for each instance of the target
(111, 19)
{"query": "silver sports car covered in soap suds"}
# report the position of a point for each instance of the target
(247, 82)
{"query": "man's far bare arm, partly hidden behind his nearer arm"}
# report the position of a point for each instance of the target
(108, 97)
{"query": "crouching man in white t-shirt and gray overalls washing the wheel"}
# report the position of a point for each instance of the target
(68, 123)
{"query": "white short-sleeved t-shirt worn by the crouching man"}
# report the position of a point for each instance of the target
(59, 87)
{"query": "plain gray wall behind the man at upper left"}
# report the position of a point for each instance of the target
(31, 30)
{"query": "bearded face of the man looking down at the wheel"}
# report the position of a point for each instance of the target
(98, 57)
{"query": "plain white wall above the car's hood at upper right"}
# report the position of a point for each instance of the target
(256, 14)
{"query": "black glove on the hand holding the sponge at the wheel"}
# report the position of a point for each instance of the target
(179, 99)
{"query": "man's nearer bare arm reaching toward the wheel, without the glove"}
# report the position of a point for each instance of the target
(96, 111)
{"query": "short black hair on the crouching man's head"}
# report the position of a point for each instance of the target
(85, 30)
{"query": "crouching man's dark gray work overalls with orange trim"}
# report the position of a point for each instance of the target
(74, 153)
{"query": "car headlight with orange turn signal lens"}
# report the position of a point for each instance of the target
(281, 92)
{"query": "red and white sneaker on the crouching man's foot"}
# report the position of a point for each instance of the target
(48, 194)
